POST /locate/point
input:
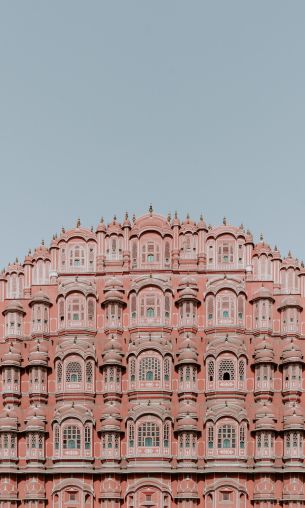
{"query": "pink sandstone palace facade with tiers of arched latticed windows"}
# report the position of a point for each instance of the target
(152, 364)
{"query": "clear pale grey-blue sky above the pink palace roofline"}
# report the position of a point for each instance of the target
(188, 105)
